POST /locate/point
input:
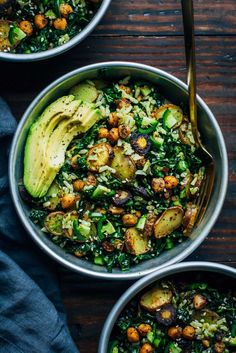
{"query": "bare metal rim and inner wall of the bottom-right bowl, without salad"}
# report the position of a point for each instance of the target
(221, 273)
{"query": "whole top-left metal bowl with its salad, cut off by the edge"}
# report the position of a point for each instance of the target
(32, 31)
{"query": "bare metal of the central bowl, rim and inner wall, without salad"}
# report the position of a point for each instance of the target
(173, 89)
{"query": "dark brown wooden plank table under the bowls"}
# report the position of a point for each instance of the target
(150, 32)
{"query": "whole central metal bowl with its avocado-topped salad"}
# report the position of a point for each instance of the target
(105, 174)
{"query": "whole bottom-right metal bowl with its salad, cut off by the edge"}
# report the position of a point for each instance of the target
(186, 308)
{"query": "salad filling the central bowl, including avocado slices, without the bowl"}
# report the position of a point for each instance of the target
(112, 174)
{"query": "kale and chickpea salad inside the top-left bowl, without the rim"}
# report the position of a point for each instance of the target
(31, 26)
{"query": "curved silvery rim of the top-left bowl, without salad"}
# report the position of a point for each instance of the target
(62, 48)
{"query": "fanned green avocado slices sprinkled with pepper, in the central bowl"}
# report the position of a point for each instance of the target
(49, 138)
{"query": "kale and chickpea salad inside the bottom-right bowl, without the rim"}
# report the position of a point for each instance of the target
(178, 317)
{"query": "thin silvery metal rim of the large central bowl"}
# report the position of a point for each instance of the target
(117, 276)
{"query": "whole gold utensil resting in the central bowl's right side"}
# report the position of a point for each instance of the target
(206, 157)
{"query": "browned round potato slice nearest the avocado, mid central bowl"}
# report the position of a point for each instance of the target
(98, 156)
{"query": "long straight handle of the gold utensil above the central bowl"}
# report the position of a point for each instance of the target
(188, 23)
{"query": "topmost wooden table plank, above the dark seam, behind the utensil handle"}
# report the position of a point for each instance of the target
(158, 17)
